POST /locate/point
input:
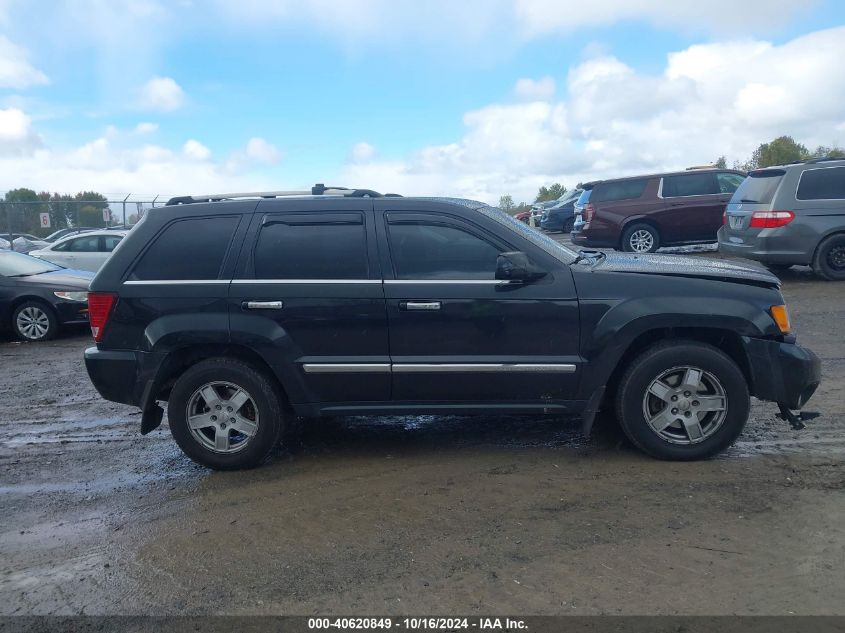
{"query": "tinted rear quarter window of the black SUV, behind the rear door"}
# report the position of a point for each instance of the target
(190, 249)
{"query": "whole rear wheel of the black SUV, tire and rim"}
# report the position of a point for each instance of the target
(224, 444)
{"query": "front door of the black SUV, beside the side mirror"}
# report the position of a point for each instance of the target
(457, 335)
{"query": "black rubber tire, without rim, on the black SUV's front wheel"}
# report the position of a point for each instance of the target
(663, 357)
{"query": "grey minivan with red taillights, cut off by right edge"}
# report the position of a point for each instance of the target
(790, 214)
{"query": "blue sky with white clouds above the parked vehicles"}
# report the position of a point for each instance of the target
(472, 98)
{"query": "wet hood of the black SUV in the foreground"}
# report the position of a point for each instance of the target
(681, 266)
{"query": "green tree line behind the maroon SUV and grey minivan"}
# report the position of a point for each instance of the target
(780, 151)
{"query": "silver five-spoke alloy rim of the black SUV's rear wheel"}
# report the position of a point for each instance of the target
(222, 417)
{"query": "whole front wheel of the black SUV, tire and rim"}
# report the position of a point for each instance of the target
(703, 433)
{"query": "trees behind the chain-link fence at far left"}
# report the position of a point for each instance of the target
(21, 209)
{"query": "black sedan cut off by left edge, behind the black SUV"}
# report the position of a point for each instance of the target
(37, 297)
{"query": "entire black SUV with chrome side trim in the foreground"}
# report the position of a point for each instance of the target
(241, 312)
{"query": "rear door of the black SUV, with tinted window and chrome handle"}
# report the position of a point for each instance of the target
(308, 295)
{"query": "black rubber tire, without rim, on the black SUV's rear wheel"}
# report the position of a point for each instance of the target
(264, 398)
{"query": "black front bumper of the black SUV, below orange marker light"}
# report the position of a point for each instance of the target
(782, 372)
